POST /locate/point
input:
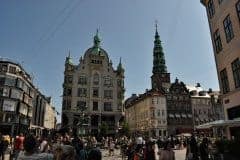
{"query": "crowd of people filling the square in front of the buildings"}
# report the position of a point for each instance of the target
(65, 147)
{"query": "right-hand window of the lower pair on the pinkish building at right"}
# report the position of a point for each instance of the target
(236, 72)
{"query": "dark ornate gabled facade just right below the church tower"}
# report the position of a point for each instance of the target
(179, 109)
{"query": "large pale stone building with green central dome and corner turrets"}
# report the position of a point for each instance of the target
(93, 91)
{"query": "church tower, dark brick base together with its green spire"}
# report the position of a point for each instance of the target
(160, 77)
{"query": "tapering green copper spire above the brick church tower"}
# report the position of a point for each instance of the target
(159, 65)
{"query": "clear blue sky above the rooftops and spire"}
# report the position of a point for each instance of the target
(39, 35)
